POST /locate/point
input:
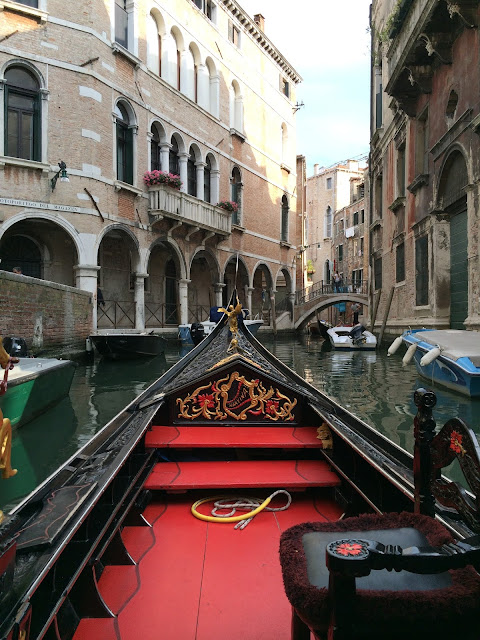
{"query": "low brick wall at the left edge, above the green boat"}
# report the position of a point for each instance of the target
(51, 317)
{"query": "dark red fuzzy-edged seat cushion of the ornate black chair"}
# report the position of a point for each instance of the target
(452, 603)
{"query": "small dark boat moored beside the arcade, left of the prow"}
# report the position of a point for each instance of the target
(118, 345)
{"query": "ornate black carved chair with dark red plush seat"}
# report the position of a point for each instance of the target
(387, 604)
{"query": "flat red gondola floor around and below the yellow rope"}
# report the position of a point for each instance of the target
(202, 581)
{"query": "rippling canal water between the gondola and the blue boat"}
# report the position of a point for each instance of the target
(377, 388)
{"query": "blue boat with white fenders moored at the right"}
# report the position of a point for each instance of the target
(447, 357)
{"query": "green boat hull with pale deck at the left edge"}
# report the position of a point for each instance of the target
(43, 384)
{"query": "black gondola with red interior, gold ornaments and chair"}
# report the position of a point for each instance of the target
(167, 525)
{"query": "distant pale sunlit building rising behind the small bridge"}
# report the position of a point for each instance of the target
(328, 191)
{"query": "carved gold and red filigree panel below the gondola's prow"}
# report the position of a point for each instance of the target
(236, 397)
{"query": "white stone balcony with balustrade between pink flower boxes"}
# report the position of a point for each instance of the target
(183, 209)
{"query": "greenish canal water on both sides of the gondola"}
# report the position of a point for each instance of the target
(375, 387)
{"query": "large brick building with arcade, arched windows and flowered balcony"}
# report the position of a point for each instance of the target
(94, 95)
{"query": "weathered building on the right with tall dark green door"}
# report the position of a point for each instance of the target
(425, 163)
